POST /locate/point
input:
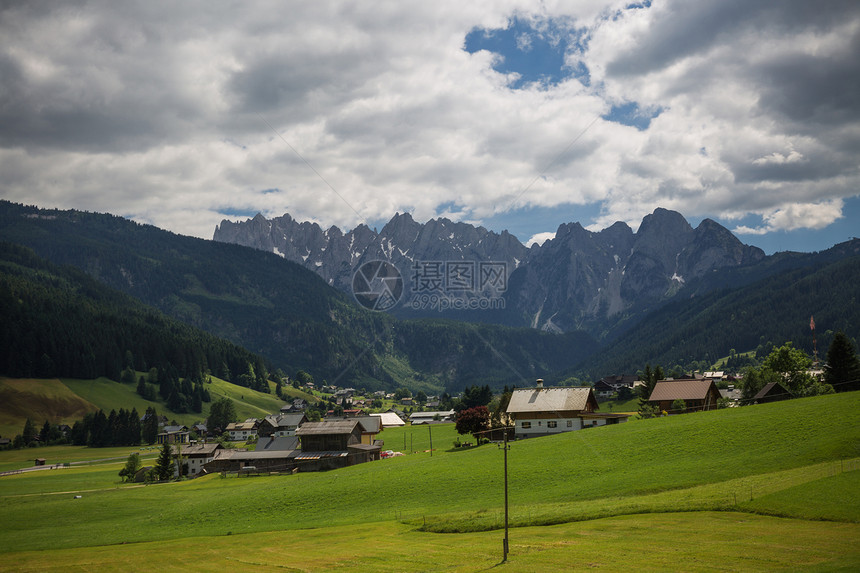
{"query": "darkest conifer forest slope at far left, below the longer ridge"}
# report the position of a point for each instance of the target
(58, 322)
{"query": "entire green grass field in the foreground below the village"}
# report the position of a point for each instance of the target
(756, 488)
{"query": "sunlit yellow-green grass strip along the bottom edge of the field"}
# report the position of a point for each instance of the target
(656, 542)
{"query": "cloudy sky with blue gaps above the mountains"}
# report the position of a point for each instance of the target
(517, 115)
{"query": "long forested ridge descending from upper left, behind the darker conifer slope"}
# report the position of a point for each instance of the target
(282, 311)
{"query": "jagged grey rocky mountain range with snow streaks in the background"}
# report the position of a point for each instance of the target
(579, 279)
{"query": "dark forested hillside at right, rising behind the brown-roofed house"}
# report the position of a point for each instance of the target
(773, 309)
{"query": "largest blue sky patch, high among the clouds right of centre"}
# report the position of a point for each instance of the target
(534, 50)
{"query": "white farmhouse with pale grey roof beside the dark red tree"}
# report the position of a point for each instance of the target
(540, 411)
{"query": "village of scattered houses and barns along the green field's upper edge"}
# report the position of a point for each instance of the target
(289, 442)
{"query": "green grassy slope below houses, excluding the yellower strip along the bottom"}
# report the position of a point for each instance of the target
(753, 459)
